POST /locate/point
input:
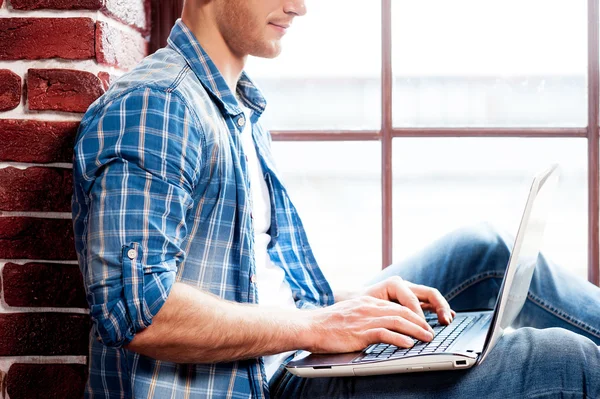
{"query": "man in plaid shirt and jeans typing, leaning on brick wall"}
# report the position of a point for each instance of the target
(199, 275)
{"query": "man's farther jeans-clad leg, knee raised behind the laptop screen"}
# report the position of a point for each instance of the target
(467, 267)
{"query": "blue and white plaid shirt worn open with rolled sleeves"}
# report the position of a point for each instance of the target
(161, 194)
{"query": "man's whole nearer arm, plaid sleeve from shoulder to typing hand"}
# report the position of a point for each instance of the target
(138, 172)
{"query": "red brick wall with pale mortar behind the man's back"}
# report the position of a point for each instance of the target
(56, 58)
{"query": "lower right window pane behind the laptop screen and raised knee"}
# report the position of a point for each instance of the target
(444, 184)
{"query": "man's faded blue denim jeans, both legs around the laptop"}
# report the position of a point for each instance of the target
(552, 353)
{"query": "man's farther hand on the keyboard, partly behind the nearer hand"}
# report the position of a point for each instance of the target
(414, 296)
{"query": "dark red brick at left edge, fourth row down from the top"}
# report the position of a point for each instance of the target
(37, 141)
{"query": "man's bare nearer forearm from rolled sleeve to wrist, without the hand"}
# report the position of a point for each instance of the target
(196, 327)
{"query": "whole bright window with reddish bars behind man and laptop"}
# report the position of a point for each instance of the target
(396, 121)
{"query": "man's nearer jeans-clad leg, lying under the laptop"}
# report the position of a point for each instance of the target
(527, 363)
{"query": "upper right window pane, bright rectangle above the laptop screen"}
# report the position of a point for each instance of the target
(490, 63)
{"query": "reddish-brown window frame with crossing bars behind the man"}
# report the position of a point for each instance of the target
(164, 14)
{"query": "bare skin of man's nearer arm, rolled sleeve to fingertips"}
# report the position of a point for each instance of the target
(196, 327)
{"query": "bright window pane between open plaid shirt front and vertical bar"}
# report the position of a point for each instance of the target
(336, 187)
